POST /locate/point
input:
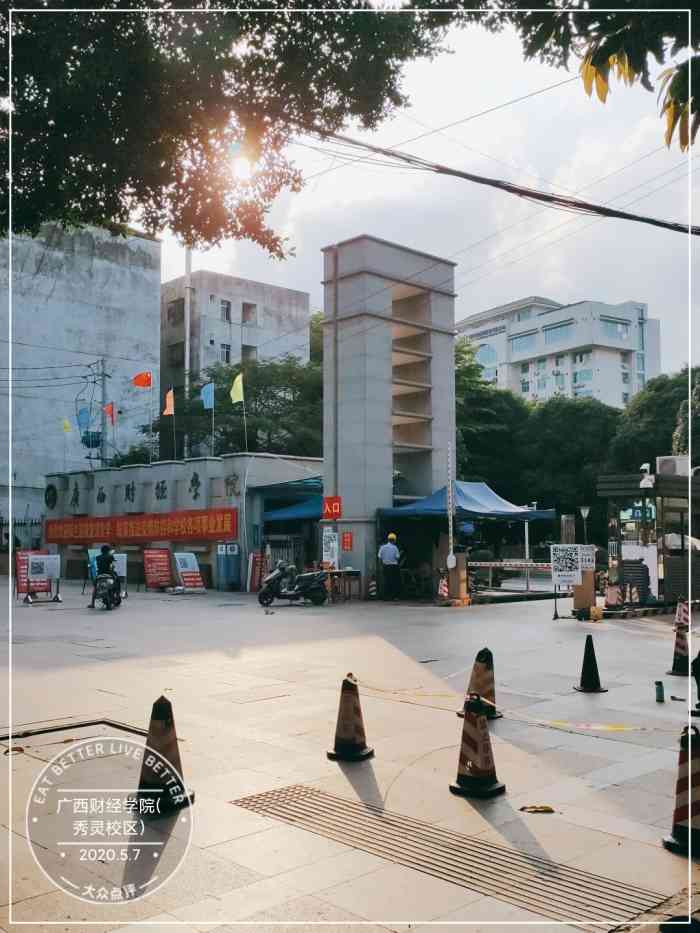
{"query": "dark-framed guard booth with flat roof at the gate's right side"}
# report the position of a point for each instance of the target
(649, 520)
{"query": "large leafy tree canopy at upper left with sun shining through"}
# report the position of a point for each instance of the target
(122, 116)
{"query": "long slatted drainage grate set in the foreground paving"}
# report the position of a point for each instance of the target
(559, 892)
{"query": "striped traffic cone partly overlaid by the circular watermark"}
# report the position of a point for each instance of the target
(161, 780)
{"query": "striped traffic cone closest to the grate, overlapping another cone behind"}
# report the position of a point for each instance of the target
(476, 771)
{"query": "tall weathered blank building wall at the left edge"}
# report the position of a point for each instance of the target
(77, 296)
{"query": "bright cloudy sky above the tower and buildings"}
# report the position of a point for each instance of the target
(506, 248)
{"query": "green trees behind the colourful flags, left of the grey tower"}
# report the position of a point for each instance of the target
(283, 404)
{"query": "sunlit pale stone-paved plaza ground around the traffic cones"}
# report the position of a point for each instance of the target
(255, 699)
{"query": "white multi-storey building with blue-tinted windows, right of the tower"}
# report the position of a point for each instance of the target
(539, 348)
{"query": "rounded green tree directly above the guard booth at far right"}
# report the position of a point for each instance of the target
(647, 425)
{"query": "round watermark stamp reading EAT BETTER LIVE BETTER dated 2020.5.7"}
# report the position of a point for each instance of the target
(100, 831)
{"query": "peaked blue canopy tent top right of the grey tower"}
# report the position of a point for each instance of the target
(471, 500)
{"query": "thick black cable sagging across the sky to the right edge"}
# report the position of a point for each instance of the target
(560, 201)
